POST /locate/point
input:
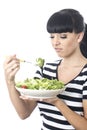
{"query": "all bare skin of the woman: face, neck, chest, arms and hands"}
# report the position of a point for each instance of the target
(66, 46)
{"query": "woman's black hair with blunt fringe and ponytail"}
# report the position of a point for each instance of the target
(69, 20)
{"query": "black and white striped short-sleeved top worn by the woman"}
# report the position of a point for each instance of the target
(75, 92)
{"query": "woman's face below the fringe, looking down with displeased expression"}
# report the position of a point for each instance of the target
(65, 44)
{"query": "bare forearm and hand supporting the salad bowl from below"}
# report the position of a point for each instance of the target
(77, 121)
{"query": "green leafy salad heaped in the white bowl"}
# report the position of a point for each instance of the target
(39, 84)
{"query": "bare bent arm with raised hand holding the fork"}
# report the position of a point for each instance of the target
(23, 107)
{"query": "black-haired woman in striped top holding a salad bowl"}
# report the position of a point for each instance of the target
(68, 111)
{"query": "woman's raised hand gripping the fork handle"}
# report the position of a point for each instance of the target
(11, 66)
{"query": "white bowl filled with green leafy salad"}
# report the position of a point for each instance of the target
(39, 88)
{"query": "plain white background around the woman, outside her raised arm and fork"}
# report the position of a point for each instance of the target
(23, 32)
